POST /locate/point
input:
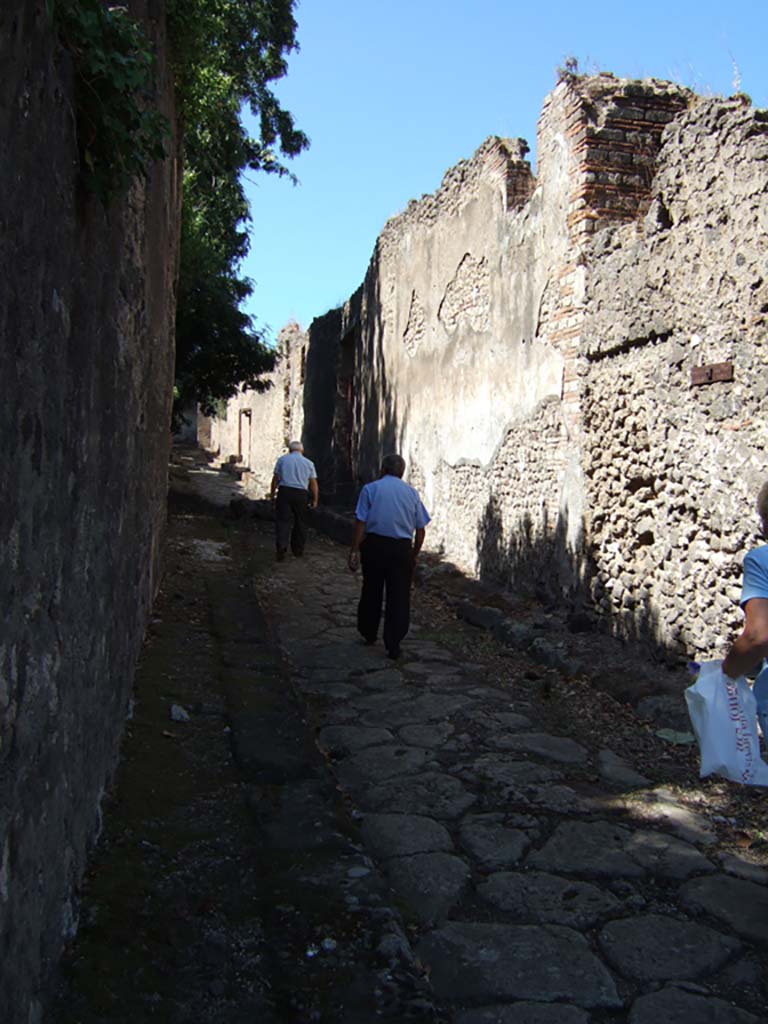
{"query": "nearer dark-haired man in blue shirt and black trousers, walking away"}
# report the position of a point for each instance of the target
(390, 531)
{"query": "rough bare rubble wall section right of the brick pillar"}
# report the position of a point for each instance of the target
(672, 468)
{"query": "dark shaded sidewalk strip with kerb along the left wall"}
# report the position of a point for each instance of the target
(230, 885)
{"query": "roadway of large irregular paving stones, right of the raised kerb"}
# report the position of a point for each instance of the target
(549, 882)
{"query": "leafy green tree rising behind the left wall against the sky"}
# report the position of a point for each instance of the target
(227, 54)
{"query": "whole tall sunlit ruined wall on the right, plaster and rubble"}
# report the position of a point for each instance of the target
(528, 345)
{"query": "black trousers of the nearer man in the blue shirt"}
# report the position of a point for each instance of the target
(388, 567)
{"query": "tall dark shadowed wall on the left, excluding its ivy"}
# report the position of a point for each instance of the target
(87, 362)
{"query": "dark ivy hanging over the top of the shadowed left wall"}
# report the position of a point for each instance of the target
(120, 133)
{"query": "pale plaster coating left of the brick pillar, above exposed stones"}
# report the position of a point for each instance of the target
(452, 353)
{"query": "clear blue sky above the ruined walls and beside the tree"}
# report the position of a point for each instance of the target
(393, 95)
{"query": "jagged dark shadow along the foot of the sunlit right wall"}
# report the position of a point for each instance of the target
(539, 562)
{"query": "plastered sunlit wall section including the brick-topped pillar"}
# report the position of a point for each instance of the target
(472, 330)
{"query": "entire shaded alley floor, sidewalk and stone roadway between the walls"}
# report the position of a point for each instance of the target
(304, 831)
